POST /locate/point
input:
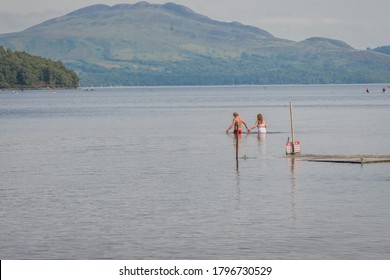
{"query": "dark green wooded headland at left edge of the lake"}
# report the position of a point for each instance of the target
(22, 70)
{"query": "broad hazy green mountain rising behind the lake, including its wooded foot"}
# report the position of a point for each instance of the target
(169, 44)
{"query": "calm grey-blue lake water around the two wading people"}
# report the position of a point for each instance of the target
(149, 173)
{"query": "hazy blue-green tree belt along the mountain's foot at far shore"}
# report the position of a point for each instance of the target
(248, 69)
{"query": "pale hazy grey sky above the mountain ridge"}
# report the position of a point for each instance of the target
(359, 23)
